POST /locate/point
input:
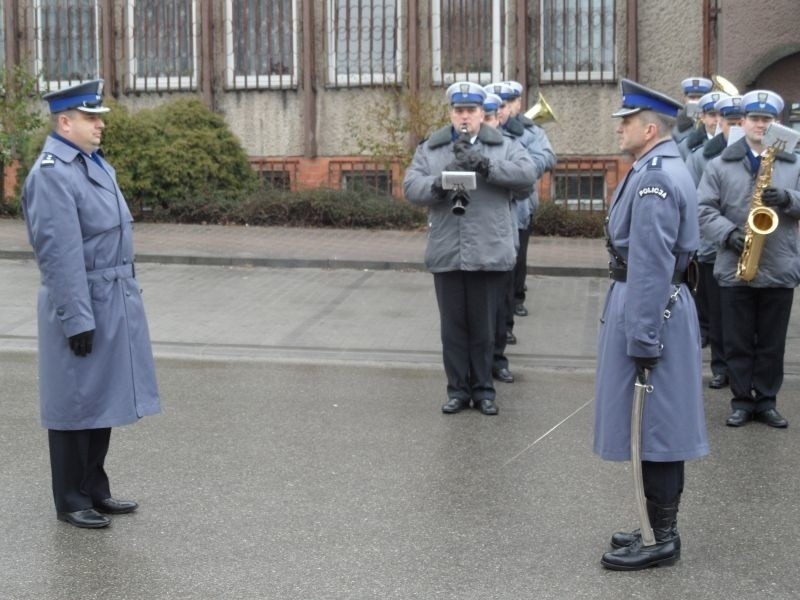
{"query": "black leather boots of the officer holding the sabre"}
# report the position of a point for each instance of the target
(635, 555)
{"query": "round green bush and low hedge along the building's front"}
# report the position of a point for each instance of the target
(180, 162)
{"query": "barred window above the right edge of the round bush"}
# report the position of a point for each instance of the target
(261, 42)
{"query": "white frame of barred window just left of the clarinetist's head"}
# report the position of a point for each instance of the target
(370, 78)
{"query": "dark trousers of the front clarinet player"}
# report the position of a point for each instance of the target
(468, 303)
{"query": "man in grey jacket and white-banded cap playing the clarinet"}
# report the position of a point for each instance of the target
(469, 254)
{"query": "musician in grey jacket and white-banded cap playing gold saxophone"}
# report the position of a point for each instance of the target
(755, 314)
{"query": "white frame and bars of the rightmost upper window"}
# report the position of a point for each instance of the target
(579, 76)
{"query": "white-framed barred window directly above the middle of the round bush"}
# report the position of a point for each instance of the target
(162, 43)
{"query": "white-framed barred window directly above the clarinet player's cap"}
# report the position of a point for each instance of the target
(469, 40)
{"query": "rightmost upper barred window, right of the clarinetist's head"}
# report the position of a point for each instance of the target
(577, 40)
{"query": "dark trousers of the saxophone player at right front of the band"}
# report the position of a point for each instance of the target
(755, 322)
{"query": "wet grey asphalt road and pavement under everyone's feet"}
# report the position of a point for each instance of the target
(301, 452)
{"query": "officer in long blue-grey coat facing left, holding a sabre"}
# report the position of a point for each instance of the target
(652, 234)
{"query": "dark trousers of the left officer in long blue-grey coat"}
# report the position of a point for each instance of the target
(76, 462)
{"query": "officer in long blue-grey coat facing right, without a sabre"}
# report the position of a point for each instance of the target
(95, 359)
